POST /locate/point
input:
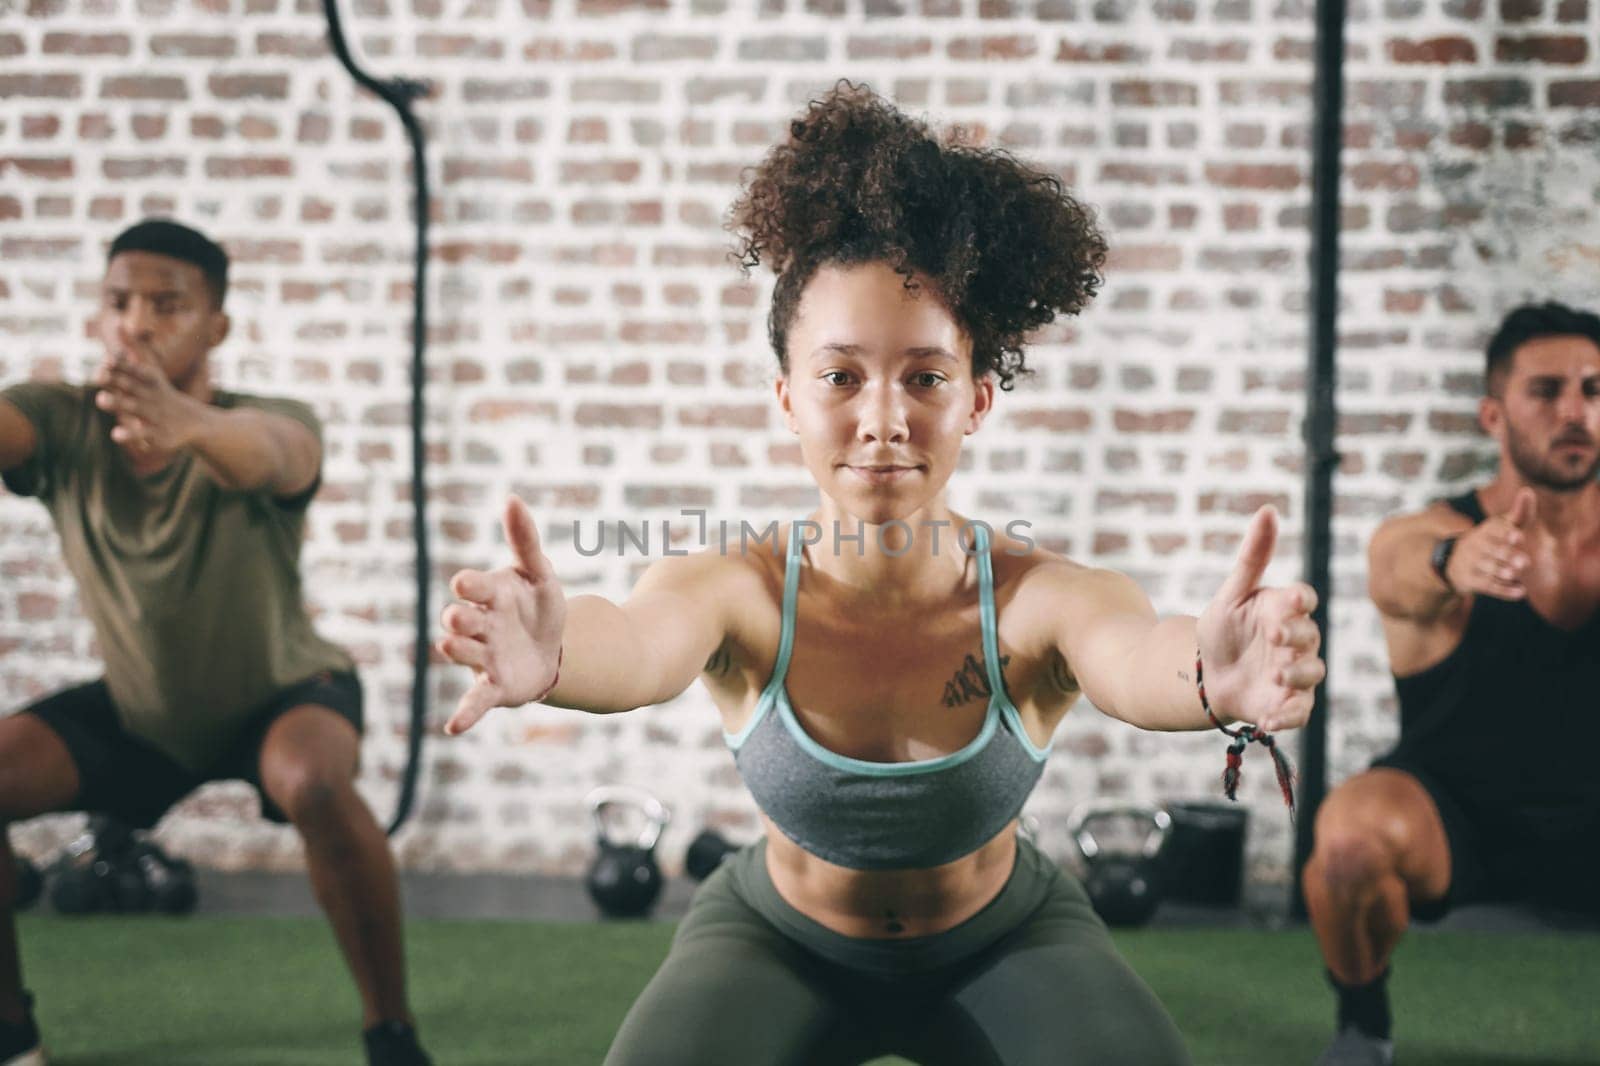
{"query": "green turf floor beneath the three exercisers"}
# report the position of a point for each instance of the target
(143, 992)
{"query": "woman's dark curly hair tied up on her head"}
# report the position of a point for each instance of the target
(1006, 247)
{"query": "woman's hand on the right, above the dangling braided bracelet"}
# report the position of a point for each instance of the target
(1258, 646)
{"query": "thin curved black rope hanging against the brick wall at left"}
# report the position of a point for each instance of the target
(399, 95)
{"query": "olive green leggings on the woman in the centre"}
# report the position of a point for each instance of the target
(1031, 980)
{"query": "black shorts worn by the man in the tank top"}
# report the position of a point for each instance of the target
(1508, 852)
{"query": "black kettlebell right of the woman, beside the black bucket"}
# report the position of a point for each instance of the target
(1121, 846)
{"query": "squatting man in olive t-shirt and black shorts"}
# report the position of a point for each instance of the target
(182, 511)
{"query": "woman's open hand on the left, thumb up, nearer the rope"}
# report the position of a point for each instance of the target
(506, 627)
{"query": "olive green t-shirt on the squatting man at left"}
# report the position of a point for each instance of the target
(193, 590)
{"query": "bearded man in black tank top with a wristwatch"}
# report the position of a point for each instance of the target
(1492, 612)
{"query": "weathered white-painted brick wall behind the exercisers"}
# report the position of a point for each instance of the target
(596, 353)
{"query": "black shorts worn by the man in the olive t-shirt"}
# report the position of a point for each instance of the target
(129, 779)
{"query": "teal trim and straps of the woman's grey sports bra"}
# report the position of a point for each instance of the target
(1001, 707)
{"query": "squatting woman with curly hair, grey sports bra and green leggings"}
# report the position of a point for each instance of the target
(890, 694)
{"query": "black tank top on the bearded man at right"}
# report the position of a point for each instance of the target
(1511, 719)
